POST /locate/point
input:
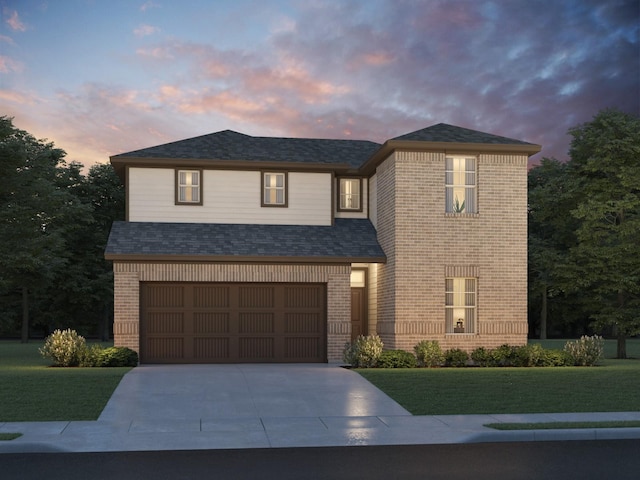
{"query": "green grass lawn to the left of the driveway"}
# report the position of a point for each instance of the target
(34, 391)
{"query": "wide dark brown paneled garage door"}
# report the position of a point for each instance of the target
(232, 322)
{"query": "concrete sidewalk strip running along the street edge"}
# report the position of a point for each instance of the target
(279, 432)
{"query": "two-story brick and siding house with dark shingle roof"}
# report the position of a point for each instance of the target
(255, 249)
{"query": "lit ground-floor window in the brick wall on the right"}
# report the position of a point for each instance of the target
(460, 305)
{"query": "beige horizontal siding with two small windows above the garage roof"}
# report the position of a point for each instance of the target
(228, 197)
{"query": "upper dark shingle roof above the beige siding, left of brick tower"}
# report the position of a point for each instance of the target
(230, 145)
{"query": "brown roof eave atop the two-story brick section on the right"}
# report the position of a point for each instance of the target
(369, 167)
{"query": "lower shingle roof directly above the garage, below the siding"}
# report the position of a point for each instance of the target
(348, 240)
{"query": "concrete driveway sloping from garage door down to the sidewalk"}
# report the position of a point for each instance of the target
(161, 393)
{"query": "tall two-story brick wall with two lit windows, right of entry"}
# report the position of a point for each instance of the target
(424, 245)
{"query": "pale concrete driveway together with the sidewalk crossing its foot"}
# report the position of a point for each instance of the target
(169, 407)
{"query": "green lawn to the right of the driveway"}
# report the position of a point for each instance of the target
(611, 387)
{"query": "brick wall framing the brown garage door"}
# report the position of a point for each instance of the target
(127, 278)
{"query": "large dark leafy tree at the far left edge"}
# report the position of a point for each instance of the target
(34, 209)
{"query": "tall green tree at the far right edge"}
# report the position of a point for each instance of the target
(605, 262)
